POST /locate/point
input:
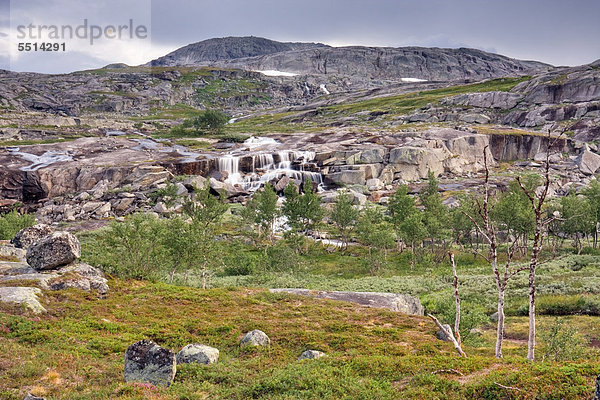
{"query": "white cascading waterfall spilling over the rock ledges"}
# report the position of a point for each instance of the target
(292, 164)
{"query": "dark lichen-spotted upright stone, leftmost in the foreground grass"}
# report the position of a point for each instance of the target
(147, 362)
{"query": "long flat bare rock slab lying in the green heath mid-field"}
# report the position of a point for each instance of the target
(392, 301)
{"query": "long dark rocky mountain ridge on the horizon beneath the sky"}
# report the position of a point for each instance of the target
(385, 63)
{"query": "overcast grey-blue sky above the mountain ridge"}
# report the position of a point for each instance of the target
(558, 32)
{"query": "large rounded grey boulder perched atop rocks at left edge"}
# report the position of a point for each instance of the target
(53, 251)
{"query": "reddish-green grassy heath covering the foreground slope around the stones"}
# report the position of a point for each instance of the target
(75, 351)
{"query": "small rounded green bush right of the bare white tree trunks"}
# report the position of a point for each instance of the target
(561, 342)
